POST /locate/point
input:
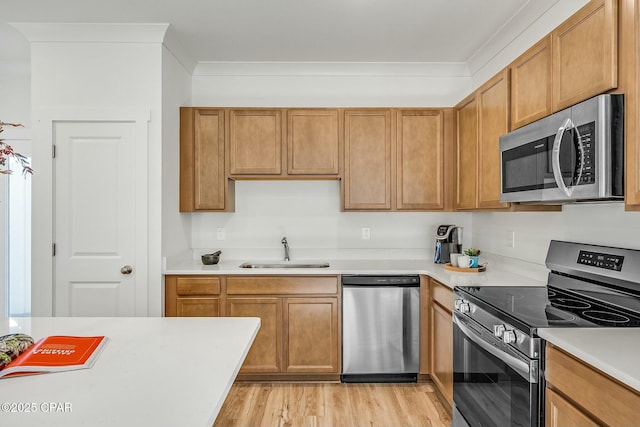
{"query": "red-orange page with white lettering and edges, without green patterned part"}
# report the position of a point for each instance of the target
(56, 354)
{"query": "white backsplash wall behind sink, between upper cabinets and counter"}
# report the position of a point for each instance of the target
(308, 214)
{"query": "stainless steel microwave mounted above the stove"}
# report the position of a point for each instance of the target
(576, 154)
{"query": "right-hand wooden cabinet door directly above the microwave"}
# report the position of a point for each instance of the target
(585, 54)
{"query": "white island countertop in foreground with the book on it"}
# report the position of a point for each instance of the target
(153, 372)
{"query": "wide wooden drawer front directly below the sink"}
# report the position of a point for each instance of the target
(264, 285)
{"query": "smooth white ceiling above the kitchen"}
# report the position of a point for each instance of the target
(289, 30)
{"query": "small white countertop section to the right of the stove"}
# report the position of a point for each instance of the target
(614, 351)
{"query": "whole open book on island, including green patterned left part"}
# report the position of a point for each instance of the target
(20, 356)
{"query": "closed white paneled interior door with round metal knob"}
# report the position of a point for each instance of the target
(95, 218)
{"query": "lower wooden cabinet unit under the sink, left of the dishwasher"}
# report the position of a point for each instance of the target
(299, 336)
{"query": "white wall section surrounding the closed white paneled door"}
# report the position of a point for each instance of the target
(87, 75)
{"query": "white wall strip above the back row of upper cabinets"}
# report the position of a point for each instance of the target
(329, 84)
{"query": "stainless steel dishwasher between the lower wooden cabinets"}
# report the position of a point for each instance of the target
(380, 328)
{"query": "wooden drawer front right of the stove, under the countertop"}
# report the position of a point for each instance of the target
(601, 396)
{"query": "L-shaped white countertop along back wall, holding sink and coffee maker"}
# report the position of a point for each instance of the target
(491, 277)
